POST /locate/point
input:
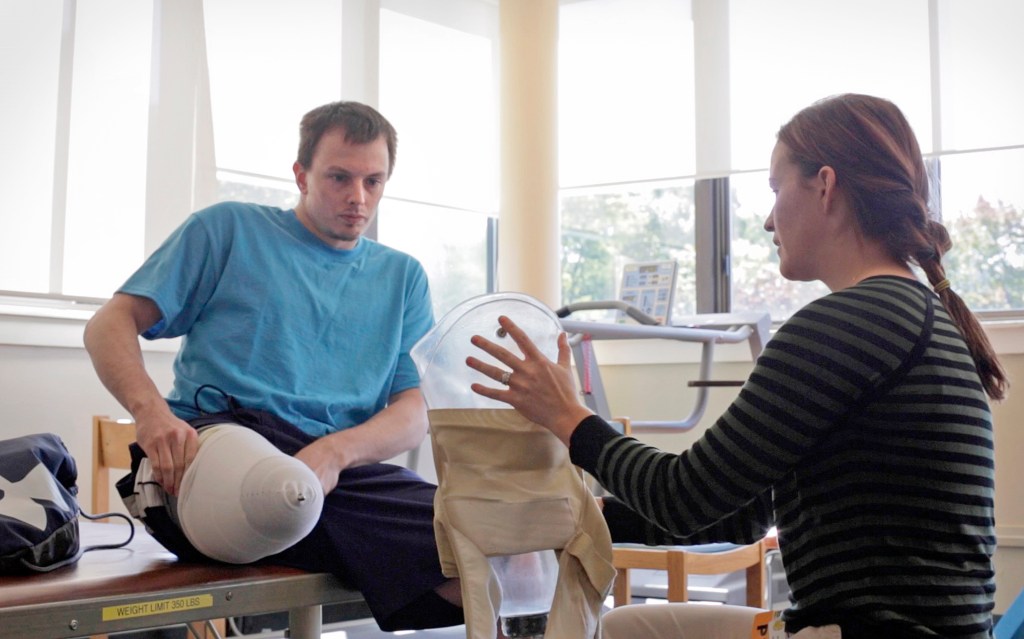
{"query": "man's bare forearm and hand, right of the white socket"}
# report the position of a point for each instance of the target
(400, 428)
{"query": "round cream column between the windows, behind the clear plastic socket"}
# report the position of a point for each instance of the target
(529, 230)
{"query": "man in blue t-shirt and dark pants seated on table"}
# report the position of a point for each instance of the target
(296, 318)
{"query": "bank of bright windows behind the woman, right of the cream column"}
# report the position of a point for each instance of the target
(627, 117)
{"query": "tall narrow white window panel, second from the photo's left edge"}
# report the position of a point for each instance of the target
(107, 151)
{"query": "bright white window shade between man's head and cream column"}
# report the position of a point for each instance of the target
(438, 88)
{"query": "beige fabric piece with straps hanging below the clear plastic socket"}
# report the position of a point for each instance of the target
(507, 487)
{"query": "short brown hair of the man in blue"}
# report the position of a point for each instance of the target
(363, 125)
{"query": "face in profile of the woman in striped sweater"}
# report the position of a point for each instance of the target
(796, 220)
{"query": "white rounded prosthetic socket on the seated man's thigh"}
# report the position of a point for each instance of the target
(242, 499)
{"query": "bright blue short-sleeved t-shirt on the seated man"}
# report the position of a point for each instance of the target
(279, 320)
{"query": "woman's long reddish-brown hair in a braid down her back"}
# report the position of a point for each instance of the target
(879, 167)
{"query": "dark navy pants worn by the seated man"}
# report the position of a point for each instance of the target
(376, 533)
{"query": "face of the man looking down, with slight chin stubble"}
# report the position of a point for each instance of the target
(342, 189)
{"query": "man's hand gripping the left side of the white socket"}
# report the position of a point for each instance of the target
(172, 445)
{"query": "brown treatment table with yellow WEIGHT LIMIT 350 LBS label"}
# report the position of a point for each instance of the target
(144, 586)
